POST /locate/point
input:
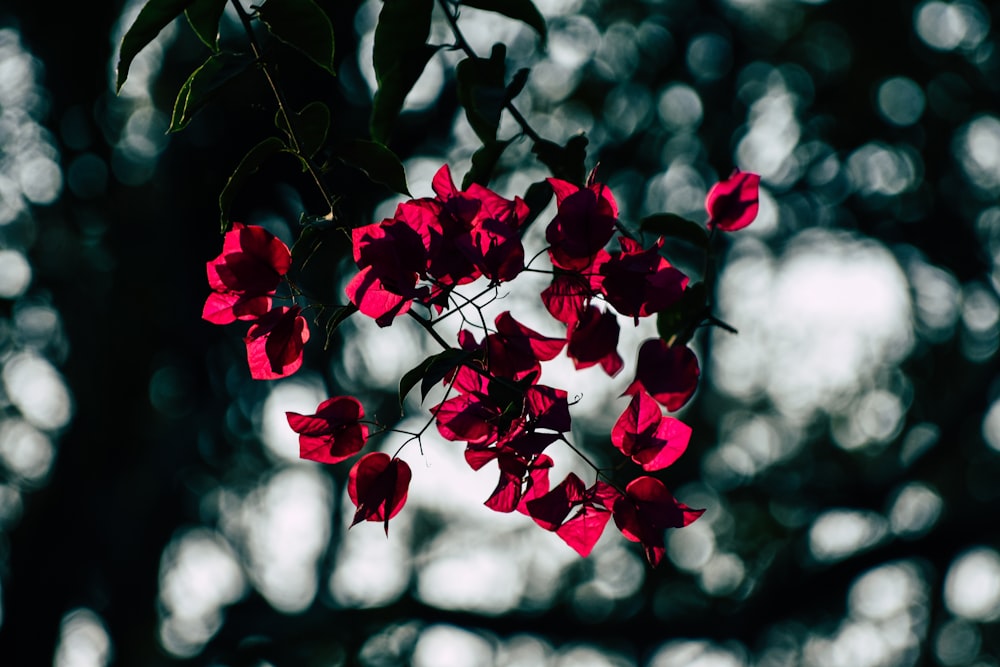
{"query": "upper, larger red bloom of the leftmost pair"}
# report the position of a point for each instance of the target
(244, 276)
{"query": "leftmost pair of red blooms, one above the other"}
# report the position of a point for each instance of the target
(244, 278)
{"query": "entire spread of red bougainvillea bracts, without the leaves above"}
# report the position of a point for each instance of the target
(494, 402)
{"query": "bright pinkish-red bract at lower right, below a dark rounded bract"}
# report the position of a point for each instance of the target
(650, 439)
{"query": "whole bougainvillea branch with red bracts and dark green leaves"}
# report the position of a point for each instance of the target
(414, 263)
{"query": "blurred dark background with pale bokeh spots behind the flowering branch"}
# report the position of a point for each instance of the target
(153, 510)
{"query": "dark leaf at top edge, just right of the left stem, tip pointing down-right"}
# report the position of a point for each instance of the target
(303, 25)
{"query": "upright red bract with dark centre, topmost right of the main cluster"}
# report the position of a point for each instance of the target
(584, 223)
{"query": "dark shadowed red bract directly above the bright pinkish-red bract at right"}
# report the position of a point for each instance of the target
(668, 374)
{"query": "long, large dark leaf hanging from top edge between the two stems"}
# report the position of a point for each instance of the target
(399, 55)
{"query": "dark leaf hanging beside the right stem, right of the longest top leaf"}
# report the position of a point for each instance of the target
(481, 91)
